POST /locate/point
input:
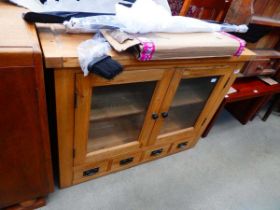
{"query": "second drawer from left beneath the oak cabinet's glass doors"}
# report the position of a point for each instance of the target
(125, 161)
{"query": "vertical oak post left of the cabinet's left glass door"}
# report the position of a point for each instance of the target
(64, 94)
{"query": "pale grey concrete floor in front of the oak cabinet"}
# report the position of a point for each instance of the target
(235, 168)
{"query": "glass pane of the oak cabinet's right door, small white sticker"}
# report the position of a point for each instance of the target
(188, 102)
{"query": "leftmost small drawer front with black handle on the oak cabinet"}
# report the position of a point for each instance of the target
(90, 171)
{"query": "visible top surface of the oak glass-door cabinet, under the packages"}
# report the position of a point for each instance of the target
(60, 51)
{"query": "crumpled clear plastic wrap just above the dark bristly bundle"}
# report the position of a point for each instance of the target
(90, 49)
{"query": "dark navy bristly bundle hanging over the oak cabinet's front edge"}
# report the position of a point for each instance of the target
(105, 66)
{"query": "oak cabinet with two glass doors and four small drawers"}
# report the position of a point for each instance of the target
(150, 110)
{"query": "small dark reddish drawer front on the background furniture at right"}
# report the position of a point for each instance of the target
(257, 67)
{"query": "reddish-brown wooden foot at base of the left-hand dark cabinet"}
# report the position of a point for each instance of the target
(28, 205)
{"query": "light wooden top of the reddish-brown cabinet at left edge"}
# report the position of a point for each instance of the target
(18, 39)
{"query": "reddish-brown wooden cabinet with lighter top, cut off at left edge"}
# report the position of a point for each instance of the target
(25, 159)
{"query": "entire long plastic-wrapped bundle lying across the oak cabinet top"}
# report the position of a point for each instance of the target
(143, 17)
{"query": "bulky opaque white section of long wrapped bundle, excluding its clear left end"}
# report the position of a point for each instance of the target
(146, 16)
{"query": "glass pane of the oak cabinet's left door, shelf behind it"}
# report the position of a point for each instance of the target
(117, 114)
